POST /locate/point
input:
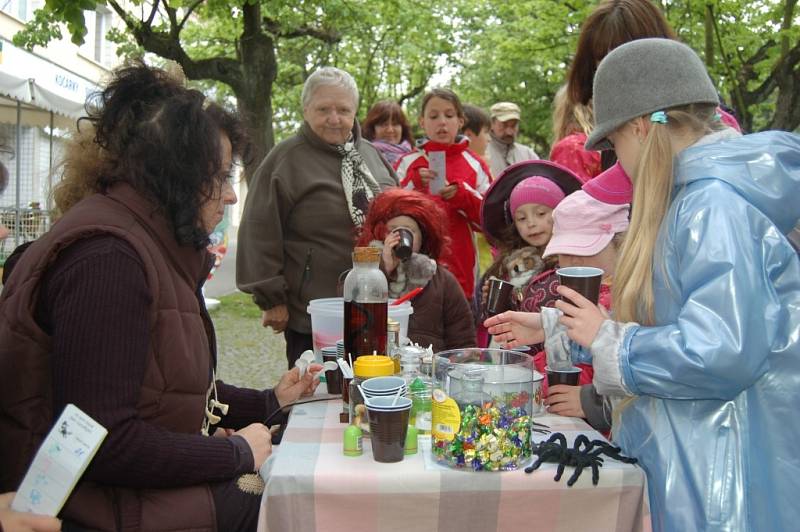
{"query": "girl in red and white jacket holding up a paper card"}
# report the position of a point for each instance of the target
(460, 190)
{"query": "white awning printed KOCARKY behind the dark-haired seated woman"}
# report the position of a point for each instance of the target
(31, 79)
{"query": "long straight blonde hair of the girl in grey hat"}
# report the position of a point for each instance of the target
(652, 192)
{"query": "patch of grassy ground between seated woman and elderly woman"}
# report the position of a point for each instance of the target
(248, 354)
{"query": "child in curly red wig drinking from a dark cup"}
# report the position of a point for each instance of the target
(442, 317)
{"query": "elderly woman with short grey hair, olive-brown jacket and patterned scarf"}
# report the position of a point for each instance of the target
(305, 203)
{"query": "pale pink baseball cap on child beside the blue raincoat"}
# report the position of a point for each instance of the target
(583, 225)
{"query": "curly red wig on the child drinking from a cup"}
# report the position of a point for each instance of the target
(394, 202)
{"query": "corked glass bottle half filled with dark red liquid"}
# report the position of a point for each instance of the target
(366, 295)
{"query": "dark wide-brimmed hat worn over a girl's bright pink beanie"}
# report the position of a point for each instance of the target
(495, 215)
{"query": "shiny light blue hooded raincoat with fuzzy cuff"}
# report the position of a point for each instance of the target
(716, 424)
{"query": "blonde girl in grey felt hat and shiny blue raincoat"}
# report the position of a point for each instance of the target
(703, 351)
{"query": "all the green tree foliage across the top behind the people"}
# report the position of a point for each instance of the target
(258, 52)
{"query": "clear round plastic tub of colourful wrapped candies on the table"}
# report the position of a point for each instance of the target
(481, 408)
